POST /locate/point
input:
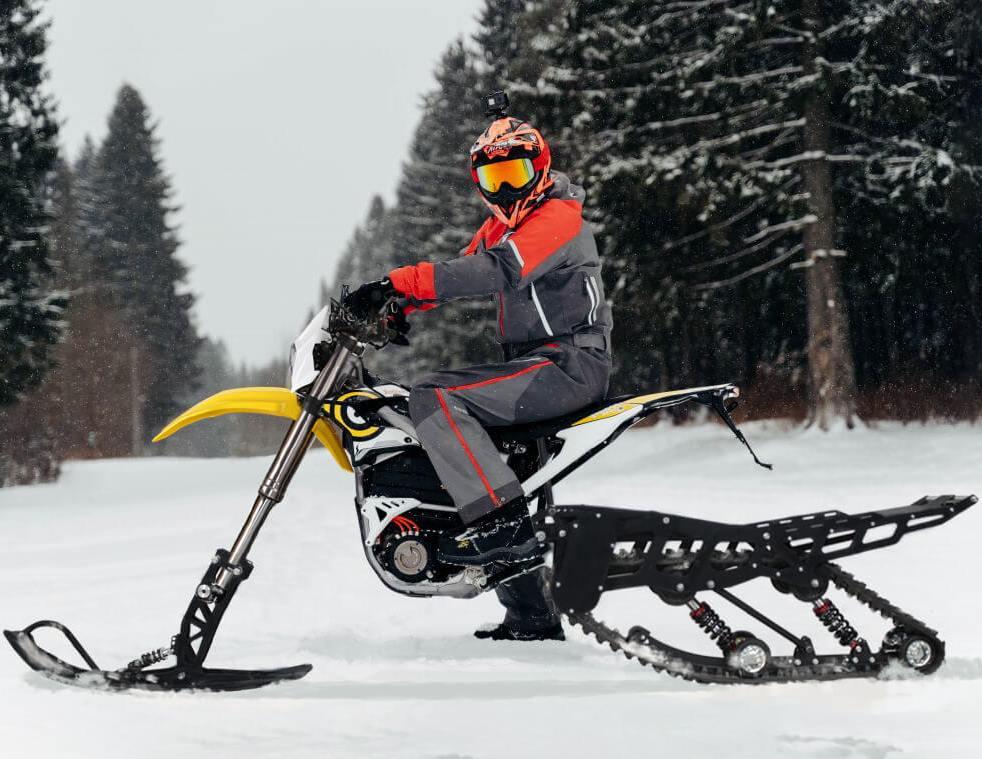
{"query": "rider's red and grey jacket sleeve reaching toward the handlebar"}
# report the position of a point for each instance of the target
(533, 250)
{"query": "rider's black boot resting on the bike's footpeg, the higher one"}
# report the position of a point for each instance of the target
(505, 536)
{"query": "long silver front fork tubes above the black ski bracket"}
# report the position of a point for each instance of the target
(288, 457)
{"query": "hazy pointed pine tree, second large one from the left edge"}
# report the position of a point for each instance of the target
(134, 247)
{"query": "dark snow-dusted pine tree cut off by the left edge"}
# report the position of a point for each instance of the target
(30, 310)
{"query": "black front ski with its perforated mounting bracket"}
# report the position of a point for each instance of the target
(189, 647)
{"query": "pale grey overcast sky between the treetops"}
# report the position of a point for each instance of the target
(277, 121)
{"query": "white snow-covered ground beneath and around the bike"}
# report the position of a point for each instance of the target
(116, 547)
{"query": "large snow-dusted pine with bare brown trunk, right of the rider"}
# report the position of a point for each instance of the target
(729, 137)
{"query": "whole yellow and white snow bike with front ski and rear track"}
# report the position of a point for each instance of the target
(402, 510)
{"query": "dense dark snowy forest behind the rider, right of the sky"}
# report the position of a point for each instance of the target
(785, 193)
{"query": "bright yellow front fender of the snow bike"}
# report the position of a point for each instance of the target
(269, 401)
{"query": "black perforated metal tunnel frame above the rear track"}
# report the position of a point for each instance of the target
(789, 551)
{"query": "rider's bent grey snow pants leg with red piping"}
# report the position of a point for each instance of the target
(450, 410)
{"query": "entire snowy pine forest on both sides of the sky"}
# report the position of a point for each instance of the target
(785, 194)
